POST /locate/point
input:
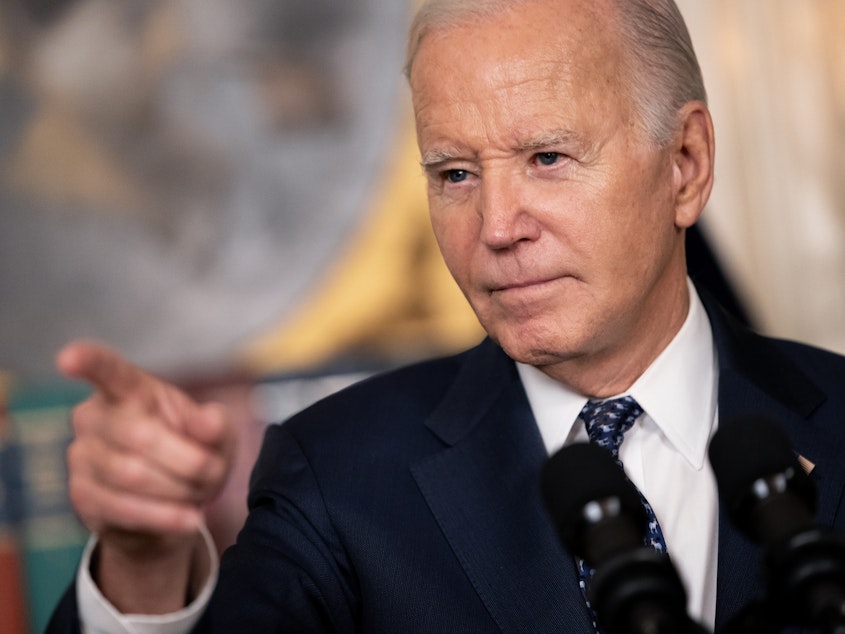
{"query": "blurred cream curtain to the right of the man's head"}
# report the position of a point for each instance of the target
(775, 73)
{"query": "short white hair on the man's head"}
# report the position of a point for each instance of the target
(662, 68)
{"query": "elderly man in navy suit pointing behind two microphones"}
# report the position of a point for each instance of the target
(567, 147)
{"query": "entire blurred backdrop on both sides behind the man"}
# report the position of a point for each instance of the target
(229, 194)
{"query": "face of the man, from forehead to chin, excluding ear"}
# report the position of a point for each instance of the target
(554, 215)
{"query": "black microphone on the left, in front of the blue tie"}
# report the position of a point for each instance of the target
(599, 516)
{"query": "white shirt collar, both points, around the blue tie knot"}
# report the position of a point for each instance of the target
(678, 391)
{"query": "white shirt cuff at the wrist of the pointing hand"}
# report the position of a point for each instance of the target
(98, 616)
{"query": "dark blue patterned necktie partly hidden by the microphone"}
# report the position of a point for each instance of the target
(607, 422)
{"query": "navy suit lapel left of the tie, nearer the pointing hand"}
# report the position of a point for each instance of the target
(484, 491)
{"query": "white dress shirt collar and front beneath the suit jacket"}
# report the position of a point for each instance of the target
(665, 452)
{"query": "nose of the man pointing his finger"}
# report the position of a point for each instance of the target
(506, 215)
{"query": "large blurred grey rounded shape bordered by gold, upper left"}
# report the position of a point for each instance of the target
(177, 175)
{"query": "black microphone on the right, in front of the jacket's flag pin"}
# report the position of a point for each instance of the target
(767, 495)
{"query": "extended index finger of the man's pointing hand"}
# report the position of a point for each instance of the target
(103, 367)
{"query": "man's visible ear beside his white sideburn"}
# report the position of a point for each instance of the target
(692, 162)
